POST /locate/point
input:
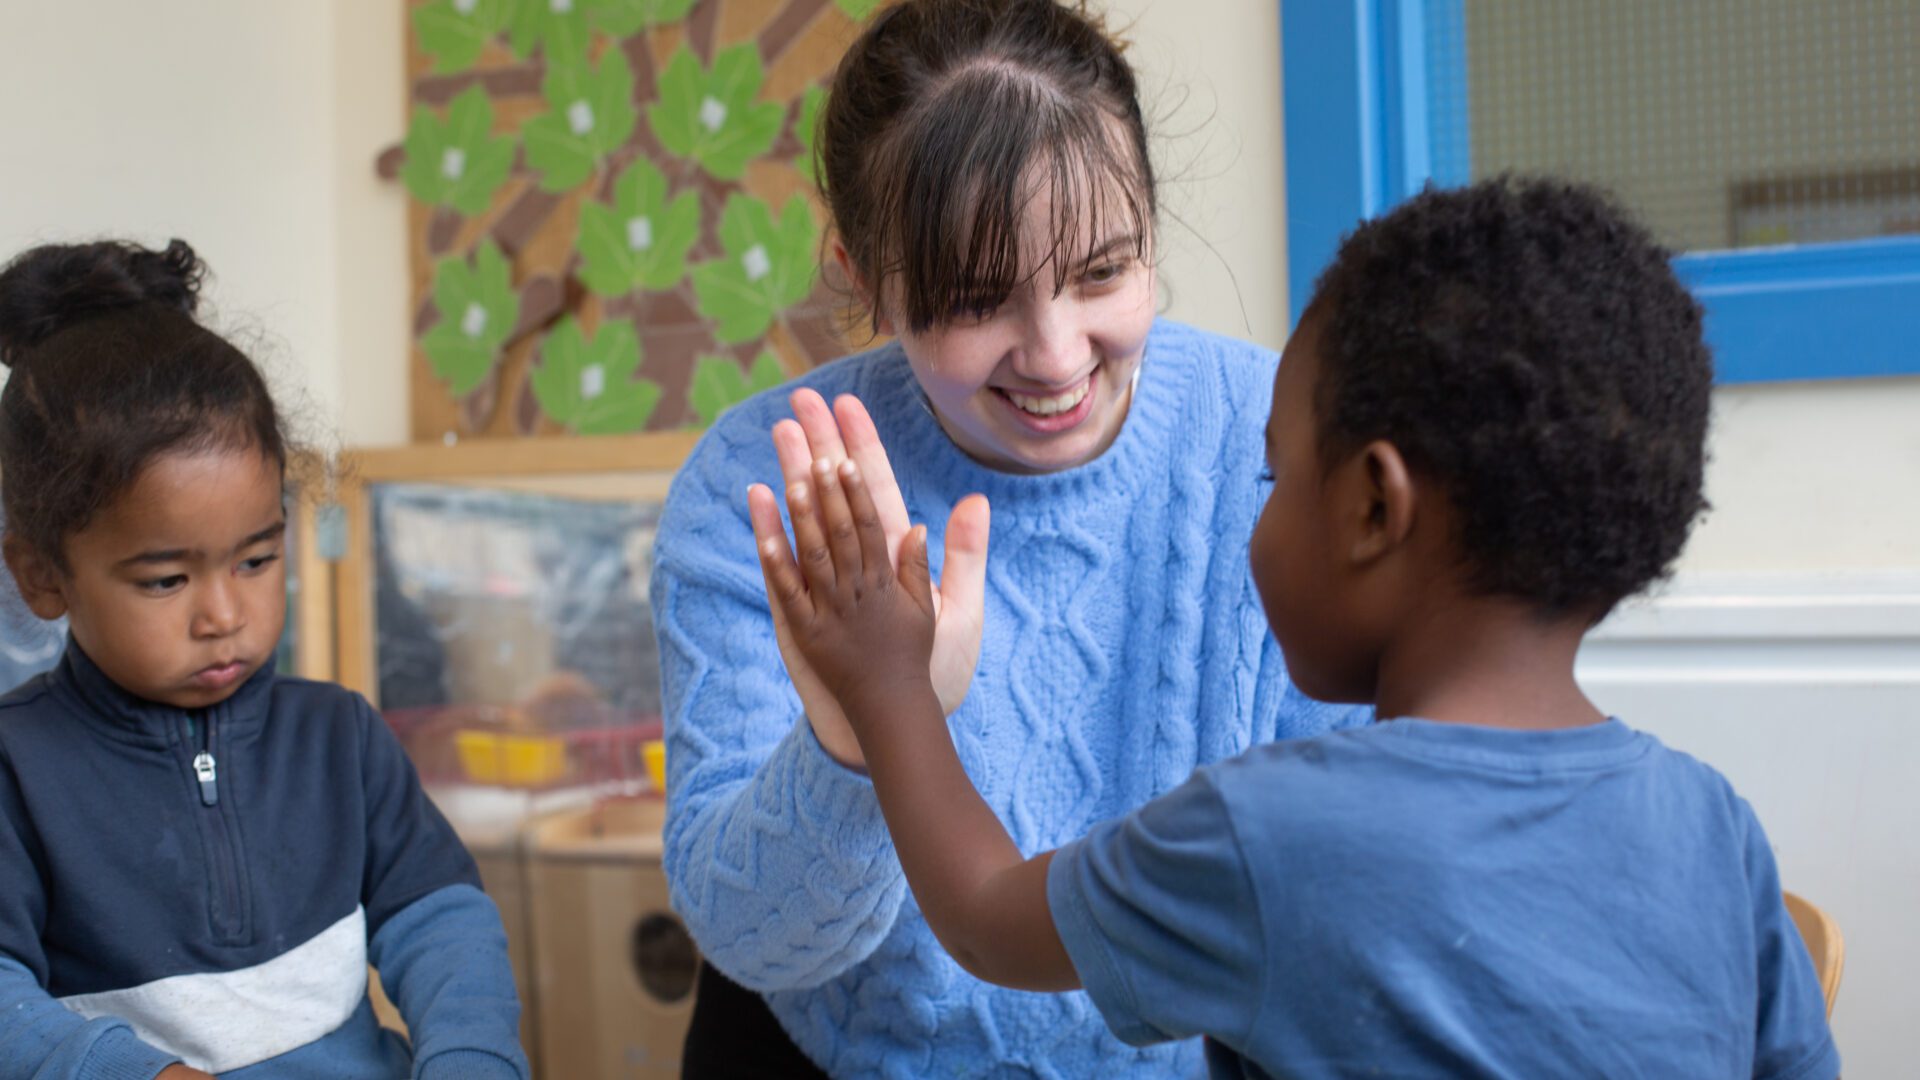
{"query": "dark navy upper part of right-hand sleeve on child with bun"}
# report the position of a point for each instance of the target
(412, 850)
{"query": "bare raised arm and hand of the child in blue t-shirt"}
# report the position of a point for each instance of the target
(869, 633)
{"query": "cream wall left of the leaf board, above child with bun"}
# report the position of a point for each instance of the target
(251, 132)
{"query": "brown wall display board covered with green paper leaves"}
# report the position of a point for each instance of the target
(613, 220)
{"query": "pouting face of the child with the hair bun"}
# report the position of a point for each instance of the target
(178, 591)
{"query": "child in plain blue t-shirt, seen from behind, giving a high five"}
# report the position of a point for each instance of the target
(1487, 431)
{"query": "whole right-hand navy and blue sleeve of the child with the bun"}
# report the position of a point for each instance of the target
(433, 935)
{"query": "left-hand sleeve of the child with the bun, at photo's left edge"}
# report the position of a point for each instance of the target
(39, 1037)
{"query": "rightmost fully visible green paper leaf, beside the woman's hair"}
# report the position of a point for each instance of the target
(767, 268)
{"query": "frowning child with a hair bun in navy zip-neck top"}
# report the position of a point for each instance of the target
(199, 858)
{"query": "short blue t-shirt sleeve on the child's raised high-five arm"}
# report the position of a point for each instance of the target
(1159, 916)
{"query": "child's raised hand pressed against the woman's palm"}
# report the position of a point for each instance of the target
(863, 627)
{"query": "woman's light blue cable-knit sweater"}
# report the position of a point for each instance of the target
(1124, 647)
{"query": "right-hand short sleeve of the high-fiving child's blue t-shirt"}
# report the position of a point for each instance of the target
(1792, 1039)
